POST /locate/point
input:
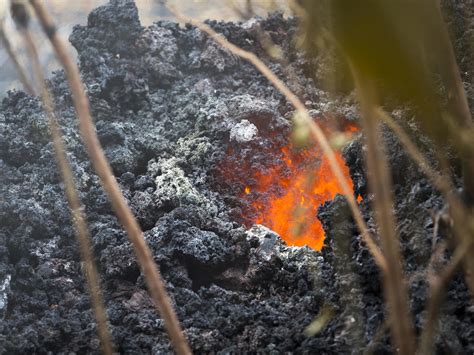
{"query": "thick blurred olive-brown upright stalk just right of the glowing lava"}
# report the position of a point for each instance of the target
(380, 184)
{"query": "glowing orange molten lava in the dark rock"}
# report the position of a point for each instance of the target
(286, 198)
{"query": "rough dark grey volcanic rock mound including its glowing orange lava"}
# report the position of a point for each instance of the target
(254, 240)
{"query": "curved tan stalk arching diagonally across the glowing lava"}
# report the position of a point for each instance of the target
(302, 112)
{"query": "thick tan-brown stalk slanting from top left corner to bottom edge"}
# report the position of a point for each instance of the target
(145, 258)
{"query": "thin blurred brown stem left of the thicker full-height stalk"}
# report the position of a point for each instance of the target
(79, 219)
